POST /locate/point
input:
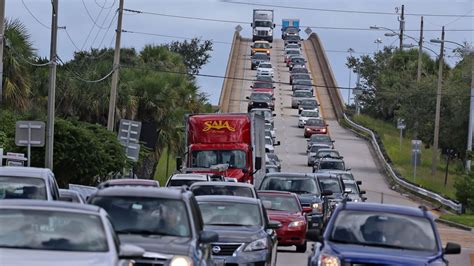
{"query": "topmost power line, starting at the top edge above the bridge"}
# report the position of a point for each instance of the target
(345, 11)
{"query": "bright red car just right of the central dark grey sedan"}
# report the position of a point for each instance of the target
(285, 208)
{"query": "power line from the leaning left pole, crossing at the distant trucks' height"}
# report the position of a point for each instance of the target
(248, 23)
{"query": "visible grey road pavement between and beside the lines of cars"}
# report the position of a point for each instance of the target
(356, 151)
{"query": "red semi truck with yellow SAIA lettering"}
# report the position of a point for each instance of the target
(234, 139)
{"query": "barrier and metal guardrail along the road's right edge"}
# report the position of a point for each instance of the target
(339, 108)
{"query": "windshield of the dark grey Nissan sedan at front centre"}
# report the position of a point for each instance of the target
(230, 213)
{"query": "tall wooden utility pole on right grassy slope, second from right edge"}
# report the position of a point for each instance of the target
(434, 158)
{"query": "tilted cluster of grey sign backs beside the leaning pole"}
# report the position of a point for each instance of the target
(129, 135)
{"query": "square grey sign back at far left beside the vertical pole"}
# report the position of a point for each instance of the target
(30, 133)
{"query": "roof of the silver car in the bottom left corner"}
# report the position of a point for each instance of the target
(45, 204)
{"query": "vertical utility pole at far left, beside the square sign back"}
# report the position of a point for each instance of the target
(52, 87)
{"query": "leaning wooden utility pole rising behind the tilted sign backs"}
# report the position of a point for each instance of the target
(116, 65)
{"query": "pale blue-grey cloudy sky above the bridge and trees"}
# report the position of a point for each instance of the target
(91, 24)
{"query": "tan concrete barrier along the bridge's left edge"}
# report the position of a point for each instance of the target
(224, 98)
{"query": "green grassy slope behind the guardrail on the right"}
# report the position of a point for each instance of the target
(401, 158)
